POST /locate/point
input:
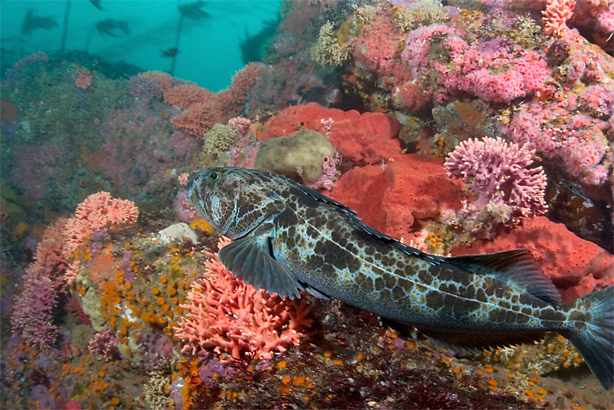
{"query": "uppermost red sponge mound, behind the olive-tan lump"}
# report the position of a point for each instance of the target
(363, 139)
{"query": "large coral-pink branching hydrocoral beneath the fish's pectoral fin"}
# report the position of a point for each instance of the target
(230, 316)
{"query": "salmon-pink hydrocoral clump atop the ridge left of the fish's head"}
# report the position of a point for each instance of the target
(96, 212)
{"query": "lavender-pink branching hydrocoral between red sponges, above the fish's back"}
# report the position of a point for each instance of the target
(498, 173)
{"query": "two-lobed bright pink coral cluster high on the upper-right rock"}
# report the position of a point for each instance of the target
(497, 70)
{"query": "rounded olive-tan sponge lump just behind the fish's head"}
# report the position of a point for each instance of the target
(300, 155)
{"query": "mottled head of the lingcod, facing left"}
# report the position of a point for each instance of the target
(234, 201)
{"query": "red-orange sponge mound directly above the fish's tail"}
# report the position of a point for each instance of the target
(576, 266)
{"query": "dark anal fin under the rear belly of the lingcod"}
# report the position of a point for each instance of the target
(465, 343)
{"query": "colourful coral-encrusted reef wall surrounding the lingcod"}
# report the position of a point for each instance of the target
(469, 127)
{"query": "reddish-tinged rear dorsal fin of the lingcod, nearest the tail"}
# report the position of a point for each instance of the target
(517, 267)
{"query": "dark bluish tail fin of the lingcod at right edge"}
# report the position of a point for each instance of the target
(595, 340)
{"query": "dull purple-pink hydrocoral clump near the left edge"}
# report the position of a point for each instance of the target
(33, 311)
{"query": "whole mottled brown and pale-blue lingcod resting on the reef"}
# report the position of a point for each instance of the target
(288, 238)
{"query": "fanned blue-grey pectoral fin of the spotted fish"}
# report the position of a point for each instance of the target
(250, 259)
